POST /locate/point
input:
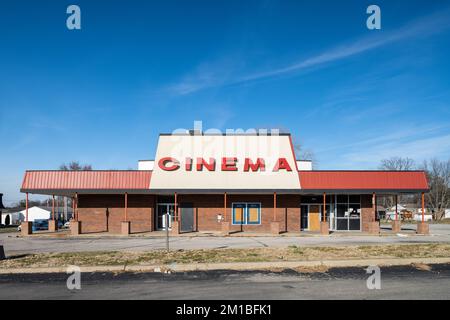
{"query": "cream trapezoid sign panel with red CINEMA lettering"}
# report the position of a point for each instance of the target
(217, 162)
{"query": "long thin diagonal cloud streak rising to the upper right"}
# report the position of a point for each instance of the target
(218, 75)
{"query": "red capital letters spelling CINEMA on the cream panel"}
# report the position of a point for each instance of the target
(226, 164)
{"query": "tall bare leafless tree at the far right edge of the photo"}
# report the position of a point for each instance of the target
(438, 174)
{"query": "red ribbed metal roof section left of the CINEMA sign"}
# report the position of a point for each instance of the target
(86, 180)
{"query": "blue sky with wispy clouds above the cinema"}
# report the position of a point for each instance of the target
(101, 95)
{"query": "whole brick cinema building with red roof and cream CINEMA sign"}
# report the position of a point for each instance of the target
(224, 184)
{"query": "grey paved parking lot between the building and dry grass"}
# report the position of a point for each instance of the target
(14, 245)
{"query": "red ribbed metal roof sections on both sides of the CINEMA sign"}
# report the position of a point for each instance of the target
(139, 180)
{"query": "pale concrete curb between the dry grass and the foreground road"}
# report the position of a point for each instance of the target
(248, 266)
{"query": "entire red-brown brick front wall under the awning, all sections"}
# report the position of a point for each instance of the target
(104, 213)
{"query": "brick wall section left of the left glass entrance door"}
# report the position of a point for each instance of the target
(104, 213)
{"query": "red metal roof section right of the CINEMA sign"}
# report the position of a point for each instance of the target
(363, 180)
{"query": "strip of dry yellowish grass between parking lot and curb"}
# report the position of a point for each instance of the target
(291, 253)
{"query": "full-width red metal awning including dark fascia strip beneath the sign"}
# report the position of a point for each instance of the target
(68, 183)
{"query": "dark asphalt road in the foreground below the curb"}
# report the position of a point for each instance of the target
(341, 283)
